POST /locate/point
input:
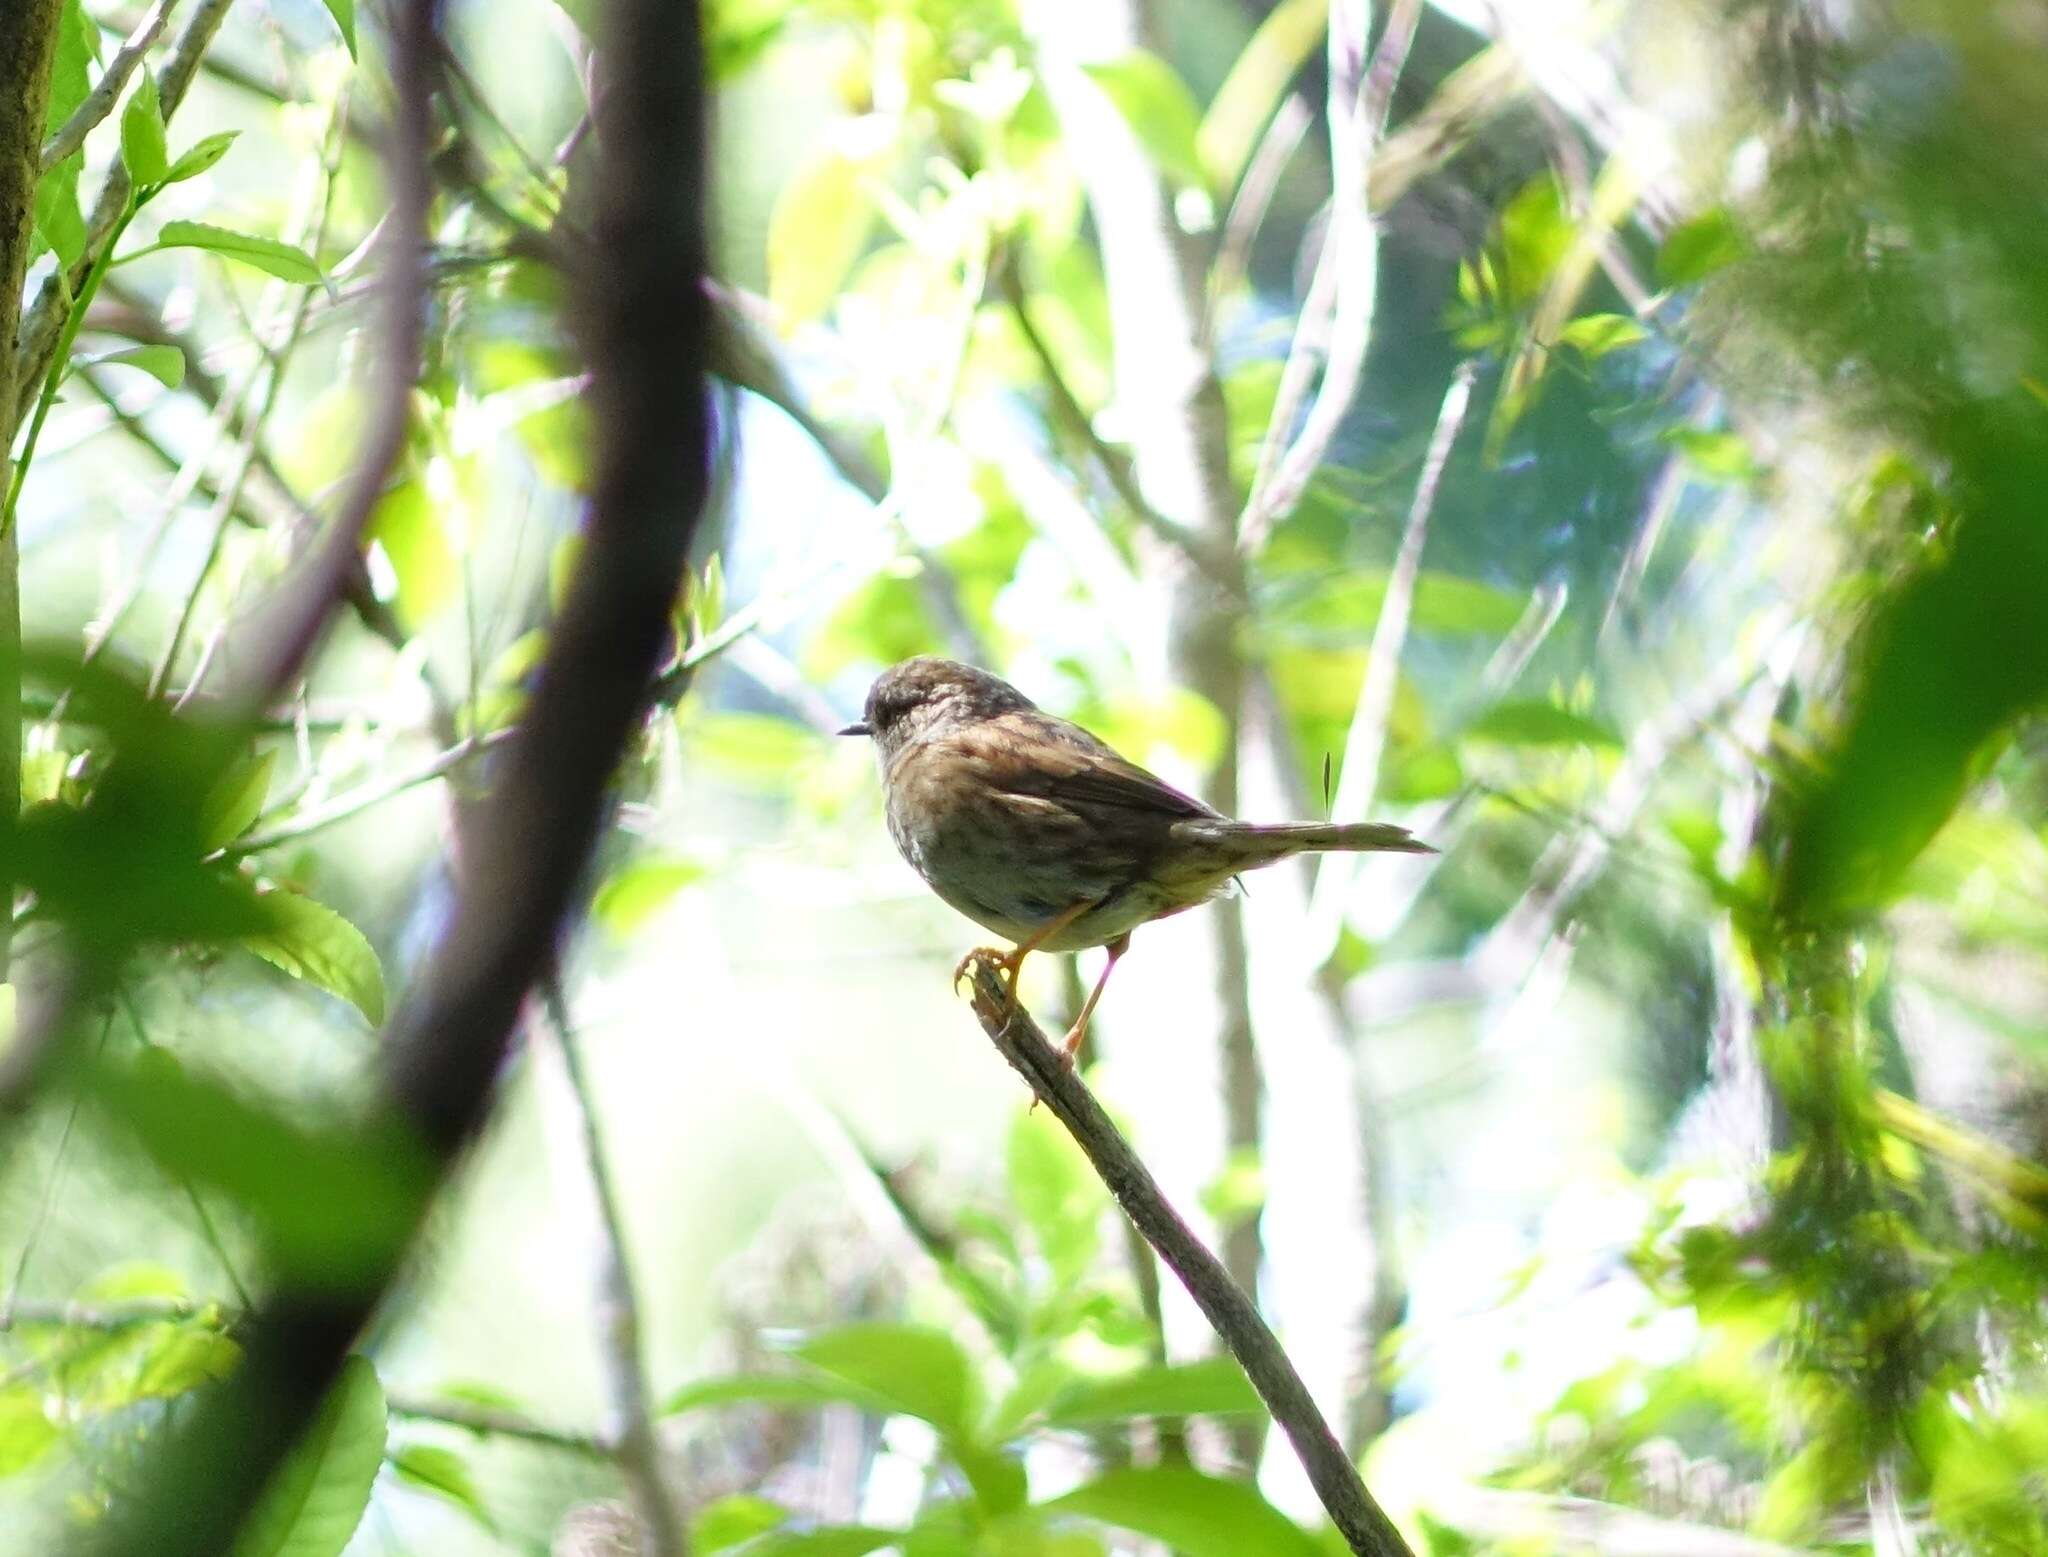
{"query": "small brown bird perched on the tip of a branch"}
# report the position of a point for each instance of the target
(1043, 835)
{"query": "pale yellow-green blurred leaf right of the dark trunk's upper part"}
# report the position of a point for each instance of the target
(822, 220)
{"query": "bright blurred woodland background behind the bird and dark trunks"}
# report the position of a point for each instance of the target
(1607, 441)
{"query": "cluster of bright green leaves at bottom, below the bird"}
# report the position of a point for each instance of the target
(1062, 1357)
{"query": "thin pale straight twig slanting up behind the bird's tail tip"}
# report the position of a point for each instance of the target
(1367, 739)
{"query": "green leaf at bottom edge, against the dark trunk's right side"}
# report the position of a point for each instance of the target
(318, 1497)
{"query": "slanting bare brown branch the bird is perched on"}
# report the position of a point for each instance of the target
(1224, 1302)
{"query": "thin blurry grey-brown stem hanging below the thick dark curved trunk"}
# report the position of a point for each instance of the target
(626, 1357)
